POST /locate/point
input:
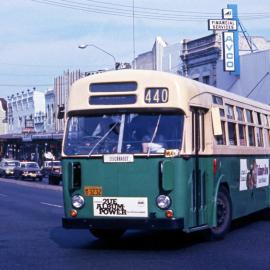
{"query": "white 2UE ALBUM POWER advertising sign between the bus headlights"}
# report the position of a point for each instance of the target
(120, 207)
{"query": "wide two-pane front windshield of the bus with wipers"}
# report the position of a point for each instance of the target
(133, 133)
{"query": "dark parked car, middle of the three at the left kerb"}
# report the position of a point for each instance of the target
(28, 170)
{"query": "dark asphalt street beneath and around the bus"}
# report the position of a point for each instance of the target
(31, 237)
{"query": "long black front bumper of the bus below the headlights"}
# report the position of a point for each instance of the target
(113, 223)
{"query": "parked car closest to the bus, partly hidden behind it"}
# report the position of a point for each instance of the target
(53, 170)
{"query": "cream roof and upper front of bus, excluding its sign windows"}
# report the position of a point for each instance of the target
(183, 92)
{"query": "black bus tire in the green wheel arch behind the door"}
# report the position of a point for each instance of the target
(224, 214)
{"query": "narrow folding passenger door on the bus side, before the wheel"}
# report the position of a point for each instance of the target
(199, 175)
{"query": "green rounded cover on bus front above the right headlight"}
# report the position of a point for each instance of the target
(168, 175)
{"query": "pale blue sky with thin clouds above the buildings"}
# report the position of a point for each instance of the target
(39, 38)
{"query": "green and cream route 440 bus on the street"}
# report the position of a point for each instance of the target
(152, 150)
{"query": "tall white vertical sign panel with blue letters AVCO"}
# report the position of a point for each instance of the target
(228, 51)
